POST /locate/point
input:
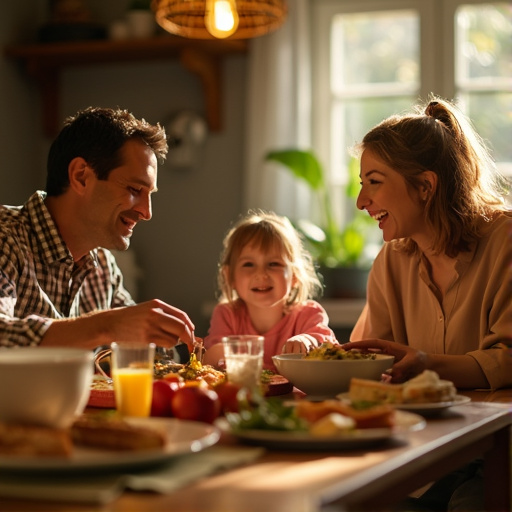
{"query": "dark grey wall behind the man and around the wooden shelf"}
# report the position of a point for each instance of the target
(178, 249)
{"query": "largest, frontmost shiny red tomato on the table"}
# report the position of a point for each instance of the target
(196, 403)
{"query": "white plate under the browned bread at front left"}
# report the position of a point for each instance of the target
(182, 437)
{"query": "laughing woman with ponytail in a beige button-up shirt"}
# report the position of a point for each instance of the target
(439, 292)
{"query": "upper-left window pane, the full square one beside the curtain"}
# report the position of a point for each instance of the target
(374, 48)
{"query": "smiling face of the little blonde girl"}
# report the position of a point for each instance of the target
(262, 279)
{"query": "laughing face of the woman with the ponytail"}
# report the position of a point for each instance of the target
(387, 198)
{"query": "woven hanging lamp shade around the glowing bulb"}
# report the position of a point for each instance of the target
(186, 17)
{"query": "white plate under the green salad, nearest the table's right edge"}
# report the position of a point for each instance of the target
(405, 422)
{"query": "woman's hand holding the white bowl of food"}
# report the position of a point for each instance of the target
(409, 362)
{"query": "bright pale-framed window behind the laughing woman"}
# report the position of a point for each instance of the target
(375, 58)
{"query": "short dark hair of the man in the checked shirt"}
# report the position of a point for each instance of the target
(97, 135)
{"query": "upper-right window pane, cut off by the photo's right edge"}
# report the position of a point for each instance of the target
(484, 41)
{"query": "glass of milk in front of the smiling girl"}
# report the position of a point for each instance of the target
(243, 355)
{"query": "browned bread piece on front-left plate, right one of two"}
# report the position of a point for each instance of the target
(115, 434)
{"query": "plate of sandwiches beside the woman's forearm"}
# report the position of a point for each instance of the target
(424, 394)
